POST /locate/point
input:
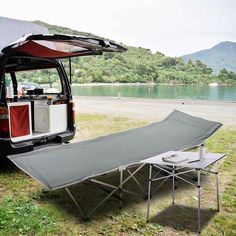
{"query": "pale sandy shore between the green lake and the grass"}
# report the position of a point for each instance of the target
(157, 109)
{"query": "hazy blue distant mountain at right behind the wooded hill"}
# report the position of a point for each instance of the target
(222, 55)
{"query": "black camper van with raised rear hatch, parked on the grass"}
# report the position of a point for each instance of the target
(36, 106)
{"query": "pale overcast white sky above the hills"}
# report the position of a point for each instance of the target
(173, 27)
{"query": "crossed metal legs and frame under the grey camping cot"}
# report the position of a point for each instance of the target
(112, 189)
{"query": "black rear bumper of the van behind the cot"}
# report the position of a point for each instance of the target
(9, 148)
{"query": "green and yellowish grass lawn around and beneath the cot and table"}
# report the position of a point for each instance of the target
(25, 209)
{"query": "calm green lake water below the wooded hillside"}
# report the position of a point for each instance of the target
(193, 92)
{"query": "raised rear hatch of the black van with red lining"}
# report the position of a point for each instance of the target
(60, 46)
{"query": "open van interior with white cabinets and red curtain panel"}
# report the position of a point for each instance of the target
(37, 97)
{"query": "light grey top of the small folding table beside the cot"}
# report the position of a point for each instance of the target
(183, 159)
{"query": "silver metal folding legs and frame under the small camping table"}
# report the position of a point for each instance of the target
(174, 172)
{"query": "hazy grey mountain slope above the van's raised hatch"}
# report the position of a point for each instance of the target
(11, 30)
